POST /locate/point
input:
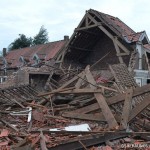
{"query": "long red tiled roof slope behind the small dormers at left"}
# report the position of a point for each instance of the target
(44, 52)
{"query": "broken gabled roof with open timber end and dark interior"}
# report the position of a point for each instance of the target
(104, 33)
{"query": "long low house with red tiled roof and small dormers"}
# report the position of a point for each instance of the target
(31, 56)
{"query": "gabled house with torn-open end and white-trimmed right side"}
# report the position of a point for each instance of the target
(106, 38)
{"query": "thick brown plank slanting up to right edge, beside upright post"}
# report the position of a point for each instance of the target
(139, 108)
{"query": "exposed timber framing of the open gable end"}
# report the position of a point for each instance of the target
(88, 24)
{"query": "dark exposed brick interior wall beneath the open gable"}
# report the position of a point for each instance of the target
(102, 46)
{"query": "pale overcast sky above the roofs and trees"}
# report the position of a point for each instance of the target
(60, 17)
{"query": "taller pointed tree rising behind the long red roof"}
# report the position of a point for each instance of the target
(41, 37)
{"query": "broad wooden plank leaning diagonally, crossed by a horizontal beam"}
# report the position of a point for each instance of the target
(101, 101)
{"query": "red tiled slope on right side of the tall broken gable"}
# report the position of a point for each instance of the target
(119, 27)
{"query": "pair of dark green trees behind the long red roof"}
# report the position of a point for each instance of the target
(23, 41)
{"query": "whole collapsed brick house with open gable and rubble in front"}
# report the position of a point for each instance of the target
(98, 96)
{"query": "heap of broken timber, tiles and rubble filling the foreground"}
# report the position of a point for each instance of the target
(84, 111)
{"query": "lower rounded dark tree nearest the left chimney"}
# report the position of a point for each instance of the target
(20, 42)
